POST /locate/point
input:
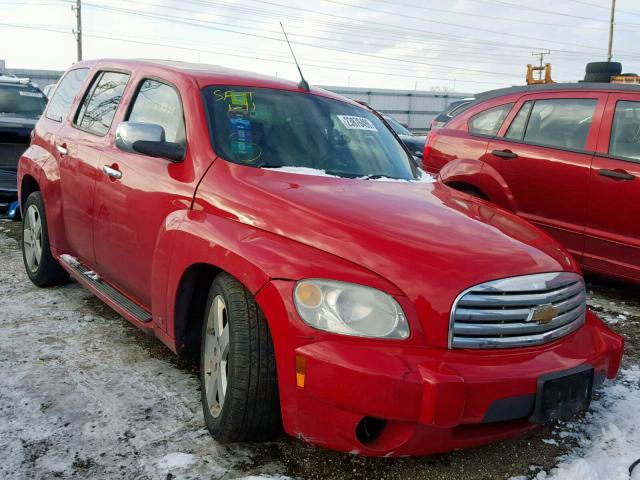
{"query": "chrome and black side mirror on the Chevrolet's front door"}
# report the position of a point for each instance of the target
(147, 139)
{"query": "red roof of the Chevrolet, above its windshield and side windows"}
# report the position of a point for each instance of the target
(206, 75)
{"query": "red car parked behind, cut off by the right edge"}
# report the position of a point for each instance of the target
(564, 156)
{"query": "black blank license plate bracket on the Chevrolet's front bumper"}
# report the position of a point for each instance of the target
(563, 394)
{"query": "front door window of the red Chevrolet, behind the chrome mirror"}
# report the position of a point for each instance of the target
(159, 103)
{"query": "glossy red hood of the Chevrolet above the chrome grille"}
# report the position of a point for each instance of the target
(427, 239)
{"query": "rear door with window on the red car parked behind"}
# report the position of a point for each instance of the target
(544, 152)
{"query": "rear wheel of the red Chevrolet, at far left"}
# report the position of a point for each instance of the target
(42, 268)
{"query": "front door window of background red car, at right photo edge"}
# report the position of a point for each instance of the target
(625, 133)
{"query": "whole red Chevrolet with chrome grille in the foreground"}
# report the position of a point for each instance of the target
(286, 239)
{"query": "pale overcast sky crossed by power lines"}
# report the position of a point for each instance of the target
(469, 45)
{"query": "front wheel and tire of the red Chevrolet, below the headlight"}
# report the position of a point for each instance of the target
(238, 382)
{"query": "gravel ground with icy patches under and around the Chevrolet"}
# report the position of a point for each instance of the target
(87, 395)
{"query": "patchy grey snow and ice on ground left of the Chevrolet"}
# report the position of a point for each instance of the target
(73, 403)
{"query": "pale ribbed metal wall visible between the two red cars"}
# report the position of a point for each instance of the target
(413, 108)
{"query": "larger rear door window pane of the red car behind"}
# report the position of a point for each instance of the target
(562, 123)
